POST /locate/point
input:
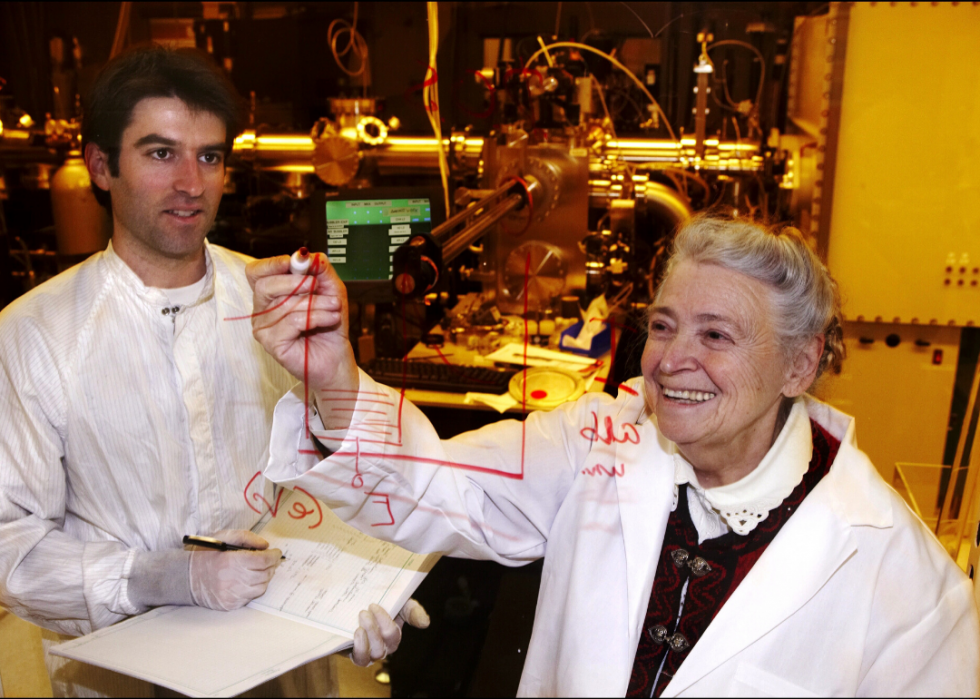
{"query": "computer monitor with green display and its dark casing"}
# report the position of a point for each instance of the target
(360, 230)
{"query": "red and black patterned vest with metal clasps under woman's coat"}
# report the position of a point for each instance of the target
(711, 571)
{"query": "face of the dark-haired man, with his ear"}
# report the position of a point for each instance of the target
(171, 175)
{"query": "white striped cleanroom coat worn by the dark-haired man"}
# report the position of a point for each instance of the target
(123, 428)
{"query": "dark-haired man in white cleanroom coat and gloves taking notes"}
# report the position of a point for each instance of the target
(133, 411)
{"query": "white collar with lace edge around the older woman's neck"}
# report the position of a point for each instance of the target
(745, 503)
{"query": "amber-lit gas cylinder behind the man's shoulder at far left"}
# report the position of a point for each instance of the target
(82, 226)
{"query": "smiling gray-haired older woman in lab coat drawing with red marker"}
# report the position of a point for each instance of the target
(712, 531)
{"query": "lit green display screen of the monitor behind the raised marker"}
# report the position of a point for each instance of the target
(363, 235)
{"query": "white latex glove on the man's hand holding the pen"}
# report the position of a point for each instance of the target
(227, 580)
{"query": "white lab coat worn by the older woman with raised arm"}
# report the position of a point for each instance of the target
(853, 597)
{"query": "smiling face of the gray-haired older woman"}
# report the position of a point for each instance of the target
(713, 366)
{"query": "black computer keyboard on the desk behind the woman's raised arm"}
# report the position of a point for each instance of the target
(451, 378)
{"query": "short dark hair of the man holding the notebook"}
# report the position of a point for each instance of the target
(186, 74)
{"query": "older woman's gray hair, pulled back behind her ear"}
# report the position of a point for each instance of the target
(806, 298)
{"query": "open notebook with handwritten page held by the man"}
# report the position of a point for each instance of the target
(331, 572)
